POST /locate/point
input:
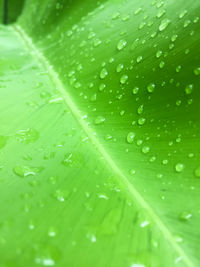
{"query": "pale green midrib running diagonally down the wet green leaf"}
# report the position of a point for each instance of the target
(88, 130)
